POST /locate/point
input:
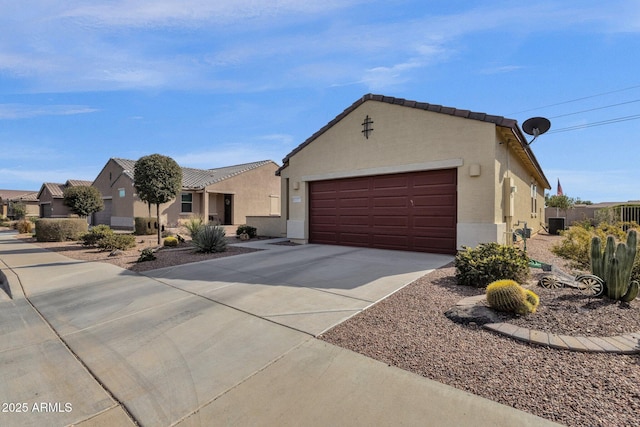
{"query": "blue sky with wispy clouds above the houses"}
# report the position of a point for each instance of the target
(215, 83)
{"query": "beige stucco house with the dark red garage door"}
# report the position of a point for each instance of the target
(398, 174)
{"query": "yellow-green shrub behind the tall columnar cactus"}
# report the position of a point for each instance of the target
(576, 243)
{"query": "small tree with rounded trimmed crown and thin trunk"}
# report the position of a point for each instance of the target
(158, 180)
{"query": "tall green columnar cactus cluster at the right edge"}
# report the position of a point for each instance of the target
(614, 266)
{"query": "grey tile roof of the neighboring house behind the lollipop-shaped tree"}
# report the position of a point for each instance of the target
(199, 178)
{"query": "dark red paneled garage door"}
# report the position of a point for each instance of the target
(410, 211)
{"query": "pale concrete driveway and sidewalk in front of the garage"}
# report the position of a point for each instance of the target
(223, 342)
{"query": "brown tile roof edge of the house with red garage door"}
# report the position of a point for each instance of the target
(497, 120)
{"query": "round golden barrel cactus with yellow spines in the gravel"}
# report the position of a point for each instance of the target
(509, 296)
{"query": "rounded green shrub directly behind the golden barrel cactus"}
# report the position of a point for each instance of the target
(489, 262)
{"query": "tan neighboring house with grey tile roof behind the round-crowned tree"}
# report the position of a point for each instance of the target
(224, 195)
